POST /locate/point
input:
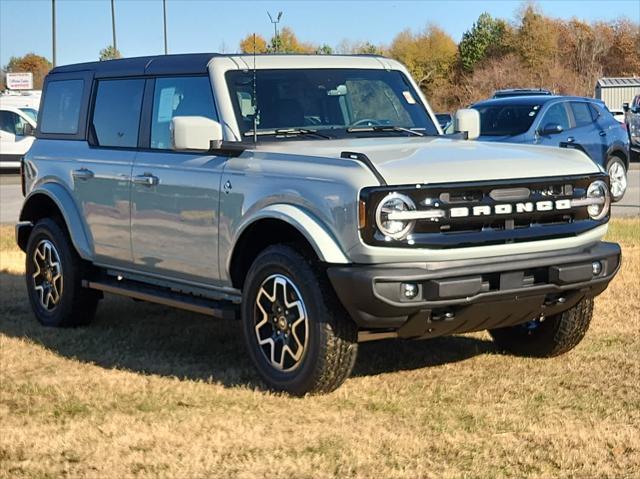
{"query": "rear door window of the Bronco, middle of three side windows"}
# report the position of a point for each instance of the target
(116, 113)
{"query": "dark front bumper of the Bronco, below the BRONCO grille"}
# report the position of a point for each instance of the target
(472, 295)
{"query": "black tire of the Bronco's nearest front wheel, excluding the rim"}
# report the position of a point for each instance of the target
(330, 353)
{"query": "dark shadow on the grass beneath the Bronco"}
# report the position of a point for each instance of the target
(147, 338)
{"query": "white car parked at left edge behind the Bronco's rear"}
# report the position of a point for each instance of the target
(16, 125)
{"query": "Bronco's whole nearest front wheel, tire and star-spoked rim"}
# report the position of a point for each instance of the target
(297, 334)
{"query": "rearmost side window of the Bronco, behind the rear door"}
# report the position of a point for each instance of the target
(61, 107)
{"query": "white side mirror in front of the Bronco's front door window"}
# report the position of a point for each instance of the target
(194, 132)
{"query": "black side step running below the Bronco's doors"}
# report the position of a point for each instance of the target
(152, 294)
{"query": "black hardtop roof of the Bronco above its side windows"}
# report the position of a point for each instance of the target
(187, 63)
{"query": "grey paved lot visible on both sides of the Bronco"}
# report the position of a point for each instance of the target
(11, 196)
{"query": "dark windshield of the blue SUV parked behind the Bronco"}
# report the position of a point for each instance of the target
(506, 120)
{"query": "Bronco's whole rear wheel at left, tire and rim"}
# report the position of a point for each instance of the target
(54, 278)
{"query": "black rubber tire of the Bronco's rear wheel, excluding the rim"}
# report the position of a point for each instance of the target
(77, 305)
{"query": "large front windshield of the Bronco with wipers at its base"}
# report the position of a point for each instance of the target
(328, 101)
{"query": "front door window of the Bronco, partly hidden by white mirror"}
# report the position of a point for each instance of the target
(179, 96)
